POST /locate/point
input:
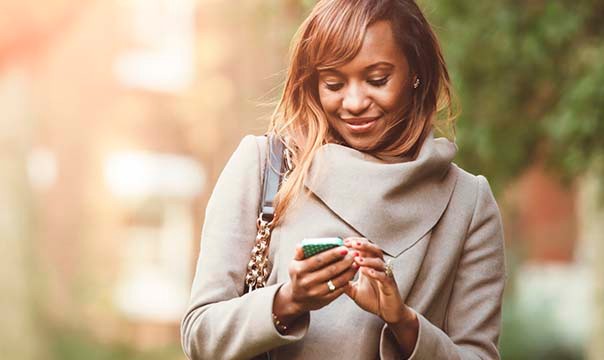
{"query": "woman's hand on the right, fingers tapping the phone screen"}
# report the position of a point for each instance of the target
(374, 290)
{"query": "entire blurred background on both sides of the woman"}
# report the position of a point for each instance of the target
(116, 118)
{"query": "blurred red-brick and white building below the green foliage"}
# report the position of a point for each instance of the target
(550, 291)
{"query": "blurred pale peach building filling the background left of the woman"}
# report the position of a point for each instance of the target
(119, 117)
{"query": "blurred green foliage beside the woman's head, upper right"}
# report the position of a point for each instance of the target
(529, 79)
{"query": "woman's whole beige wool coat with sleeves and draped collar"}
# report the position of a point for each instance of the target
(439, 224)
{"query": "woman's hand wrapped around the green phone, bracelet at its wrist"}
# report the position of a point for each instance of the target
(307, 289)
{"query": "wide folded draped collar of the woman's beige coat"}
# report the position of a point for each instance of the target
(393, 204)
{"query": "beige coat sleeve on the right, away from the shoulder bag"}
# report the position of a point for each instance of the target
(473, 317)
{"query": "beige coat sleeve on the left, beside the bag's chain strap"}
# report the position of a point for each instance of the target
(221, 322)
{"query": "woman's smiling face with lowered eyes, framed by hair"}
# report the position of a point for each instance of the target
(361, 98)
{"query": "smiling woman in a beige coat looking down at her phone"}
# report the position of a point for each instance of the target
(365, 84)
